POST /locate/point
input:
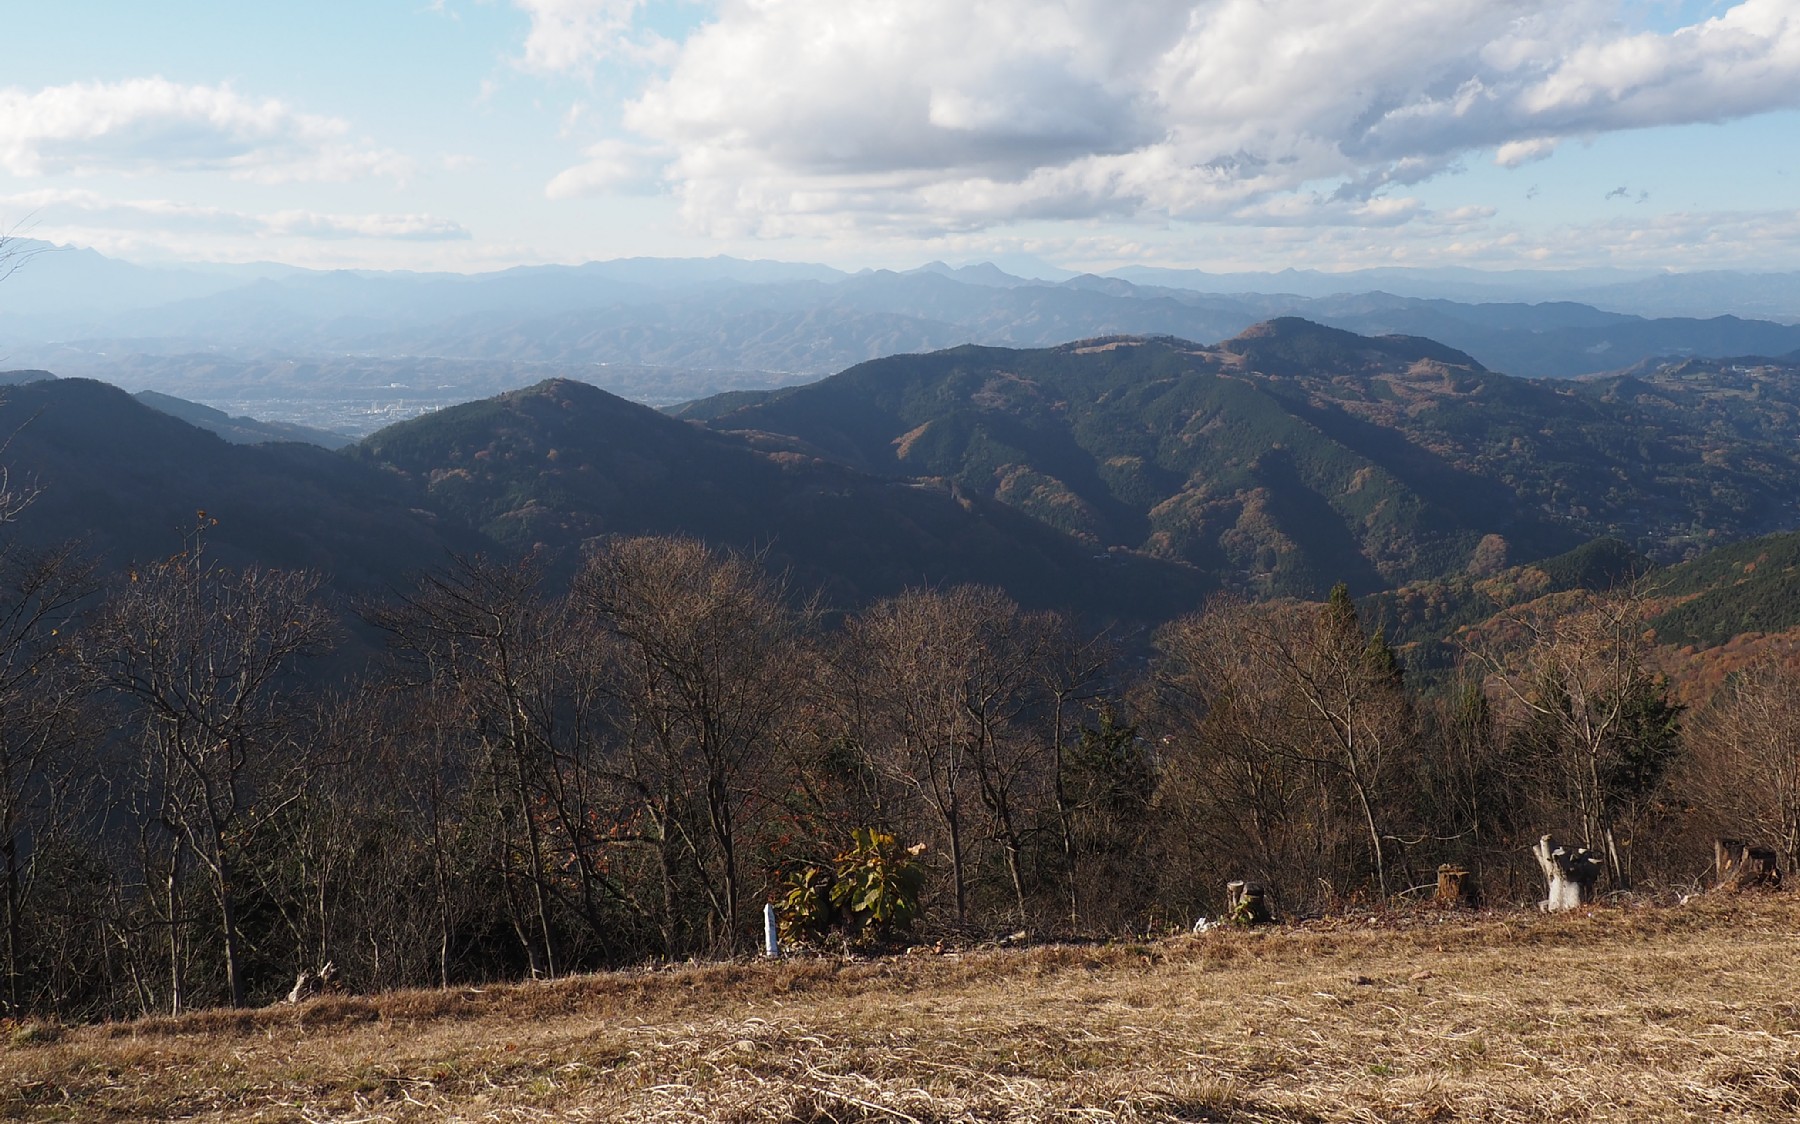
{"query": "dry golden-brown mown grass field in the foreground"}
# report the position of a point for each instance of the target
(1644, 1013)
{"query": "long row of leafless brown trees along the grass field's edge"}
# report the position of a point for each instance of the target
(525, 775)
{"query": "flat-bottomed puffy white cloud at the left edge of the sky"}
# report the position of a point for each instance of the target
(152, 125)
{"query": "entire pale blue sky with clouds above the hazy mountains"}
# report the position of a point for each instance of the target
(1088, 134)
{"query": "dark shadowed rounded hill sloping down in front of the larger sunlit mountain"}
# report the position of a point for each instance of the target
(562, 464)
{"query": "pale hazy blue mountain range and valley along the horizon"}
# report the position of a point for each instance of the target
(354, 350)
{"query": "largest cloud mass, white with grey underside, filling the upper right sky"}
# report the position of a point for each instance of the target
(939, 116)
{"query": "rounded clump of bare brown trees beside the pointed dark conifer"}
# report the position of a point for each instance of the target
(1288, 743)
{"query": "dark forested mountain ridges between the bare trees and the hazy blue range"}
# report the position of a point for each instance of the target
(1122, 476)
